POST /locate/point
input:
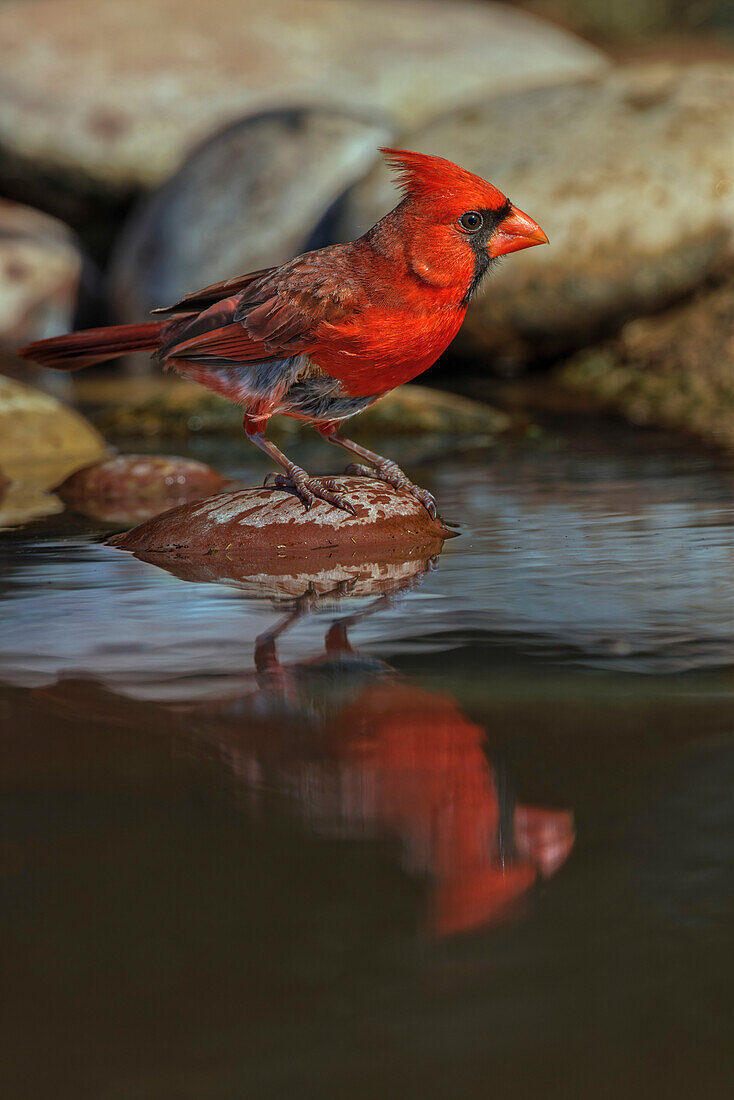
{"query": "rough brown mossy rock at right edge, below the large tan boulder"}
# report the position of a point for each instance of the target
(672, 371)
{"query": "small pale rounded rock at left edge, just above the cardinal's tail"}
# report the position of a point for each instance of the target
(40, 271)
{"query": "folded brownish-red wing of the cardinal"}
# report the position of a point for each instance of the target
(276, 314)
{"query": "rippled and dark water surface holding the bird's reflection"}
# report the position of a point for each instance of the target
(467, 833)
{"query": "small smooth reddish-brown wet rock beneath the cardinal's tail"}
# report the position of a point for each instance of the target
(133, 488)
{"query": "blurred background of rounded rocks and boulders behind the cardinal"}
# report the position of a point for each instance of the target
(149, 149)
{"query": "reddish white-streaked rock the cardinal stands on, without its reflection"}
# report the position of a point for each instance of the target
(271, 526)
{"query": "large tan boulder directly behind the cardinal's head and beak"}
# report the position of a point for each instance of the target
(632, 178)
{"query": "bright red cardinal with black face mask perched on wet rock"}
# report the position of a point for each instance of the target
(326, 335)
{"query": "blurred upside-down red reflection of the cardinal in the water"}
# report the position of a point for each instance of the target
(377, 756)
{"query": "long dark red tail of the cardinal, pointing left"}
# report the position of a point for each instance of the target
(93, 346)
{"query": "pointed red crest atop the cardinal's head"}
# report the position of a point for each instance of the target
(420, 175)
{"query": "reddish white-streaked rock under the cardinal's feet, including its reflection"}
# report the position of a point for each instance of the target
(257, 535)
